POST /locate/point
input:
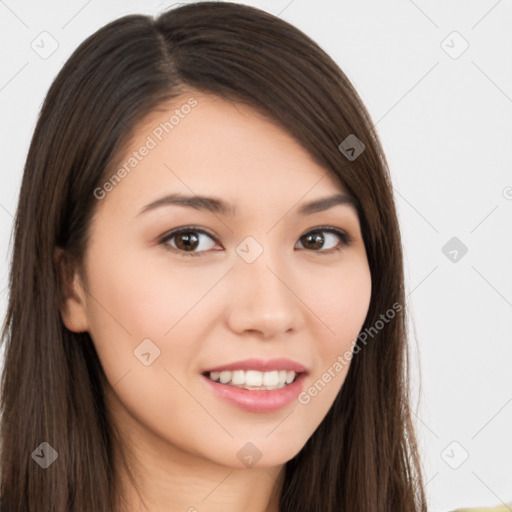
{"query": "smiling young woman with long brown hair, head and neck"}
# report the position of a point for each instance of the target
(207, 305)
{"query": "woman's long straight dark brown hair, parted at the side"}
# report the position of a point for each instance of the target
(363, 456)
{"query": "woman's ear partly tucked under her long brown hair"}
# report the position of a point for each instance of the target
(73, 304)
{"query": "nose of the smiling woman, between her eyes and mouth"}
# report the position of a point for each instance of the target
(262, 298)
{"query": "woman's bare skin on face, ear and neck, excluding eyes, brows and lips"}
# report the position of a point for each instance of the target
(292, 301)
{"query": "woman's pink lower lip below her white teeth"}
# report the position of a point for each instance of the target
(263, 400)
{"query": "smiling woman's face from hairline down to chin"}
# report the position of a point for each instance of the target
(267, 282)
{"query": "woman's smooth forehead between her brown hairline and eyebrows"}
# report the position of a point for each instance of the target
(203, 144)
